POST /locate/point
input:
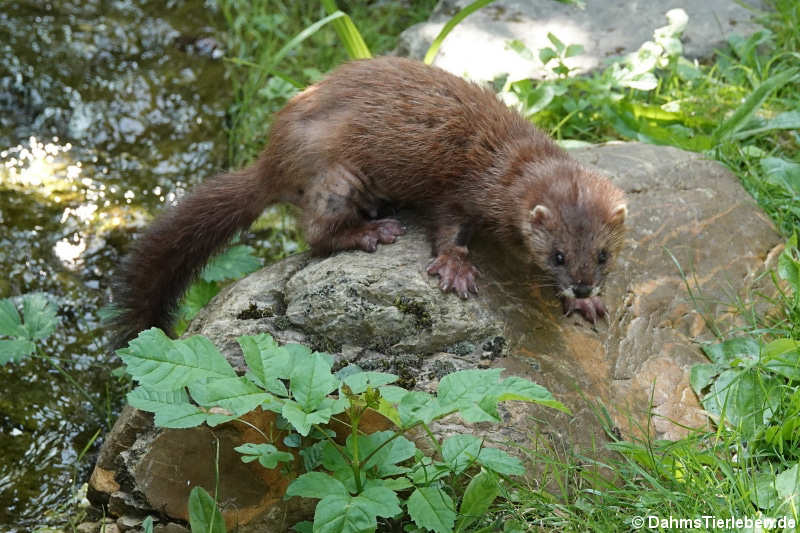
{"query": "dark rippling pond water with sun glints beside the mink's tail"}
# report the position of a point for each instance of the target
(107, 110)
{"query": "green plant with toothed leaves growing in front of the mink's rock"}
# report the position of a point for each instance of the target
(188, 382)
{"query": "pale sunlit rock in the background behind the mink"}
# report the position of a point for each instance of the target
(478, 46)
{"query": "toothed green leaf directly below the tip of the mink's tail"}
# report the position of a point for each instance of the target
(161, 363)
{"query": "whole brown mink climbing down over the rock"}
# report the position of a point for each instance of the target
(393, 131)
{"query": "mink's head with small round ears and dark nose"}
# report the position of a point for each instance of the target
(575, 223)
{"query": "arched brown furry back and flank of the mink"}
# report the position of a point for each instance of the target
(414, 130)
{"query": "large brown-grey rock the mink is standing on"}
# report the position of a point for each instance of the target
(691, 225)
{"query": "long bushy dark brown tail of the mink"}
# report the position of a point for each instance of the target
(169, 255)
